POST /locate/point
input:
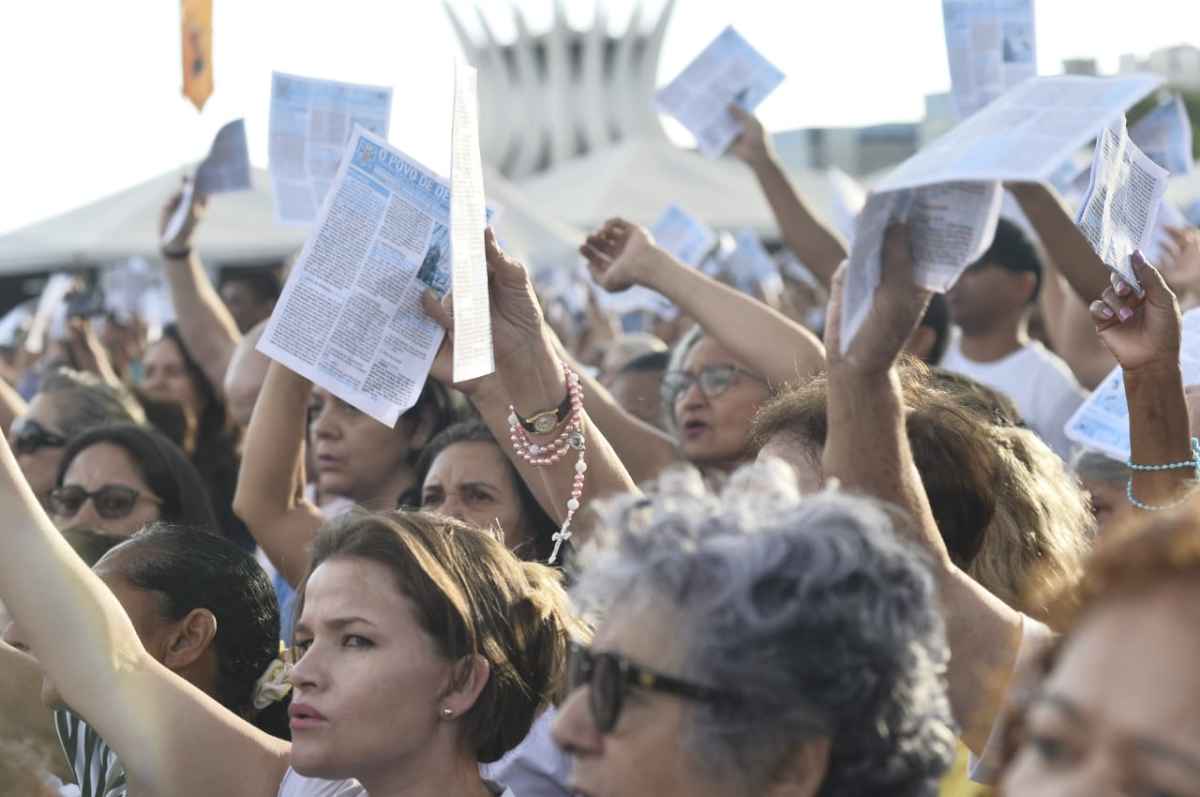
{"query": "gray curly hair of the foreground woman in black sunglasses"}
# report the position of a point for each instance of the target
(812, 613)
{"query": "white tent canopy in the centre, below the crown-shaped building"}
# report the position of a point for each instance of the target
(638, 179)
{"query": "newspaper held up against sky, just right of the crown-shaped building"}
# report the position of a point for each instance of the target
(728, 71)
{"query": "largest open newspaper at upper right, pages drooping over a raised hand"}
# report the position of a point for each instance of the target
(951, 193)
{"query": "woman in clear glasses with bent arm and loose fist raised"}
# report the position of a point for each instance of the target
(723, 371)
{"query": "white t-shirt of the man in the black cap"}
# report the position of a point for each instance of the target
(1040, 383)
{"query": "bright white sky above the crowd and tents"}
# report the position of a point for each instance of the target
(92, 91)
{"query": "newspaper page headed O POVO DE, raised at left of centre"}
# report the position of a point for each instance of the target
(351, 317)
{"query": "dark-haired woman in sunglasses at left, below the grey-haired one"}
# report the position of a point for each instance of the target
(118, 480)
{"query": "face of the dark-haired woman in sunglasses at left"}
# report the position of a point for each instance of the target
(109, 470)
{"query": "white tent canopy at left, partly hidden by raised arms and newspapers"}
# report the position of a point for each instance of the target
(239, 229)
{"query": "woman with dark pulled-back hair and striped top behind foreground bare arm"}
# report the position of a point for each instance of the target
(203, 609)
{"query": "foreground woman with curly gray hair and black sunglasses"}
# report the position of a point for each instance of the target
(751, 644)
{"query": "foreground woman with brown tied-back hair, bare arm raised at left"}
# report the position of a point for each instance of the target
(425, 649)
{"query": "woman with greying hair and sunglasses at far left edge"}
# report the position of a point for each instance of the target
(68, 404)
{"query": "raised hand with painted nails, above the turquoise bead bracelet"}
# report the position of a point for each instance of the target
(1139, 331)
